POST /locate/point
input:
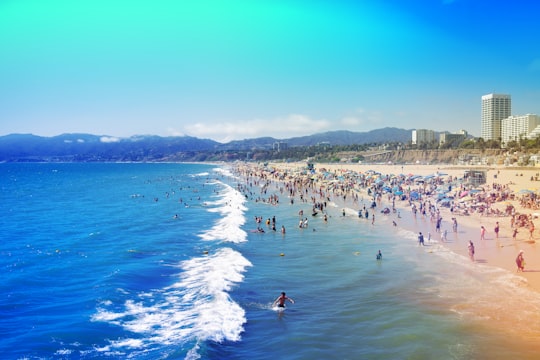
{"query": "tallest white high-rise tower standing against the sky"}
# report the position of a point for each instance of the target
(495, 107)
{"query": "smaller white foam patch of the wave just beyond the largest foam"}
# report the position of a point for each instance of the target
(231, 207)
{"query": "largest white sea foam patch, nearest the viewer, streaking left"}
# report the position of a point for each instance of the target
(196, 308)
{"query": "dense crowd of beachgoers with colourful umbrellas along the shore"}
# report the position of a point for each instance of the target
(426, 196)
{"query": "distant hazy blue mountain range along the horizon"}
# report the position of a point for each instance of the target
(87, 147)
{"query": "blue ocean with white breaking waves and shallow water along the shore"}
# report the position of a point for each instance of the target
(164, 261)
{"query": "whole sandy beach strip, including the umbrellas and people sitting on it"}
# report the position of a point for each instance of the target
(504, 187)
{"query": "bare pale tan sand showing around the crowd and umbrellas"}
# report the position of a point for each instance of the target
(491, 251)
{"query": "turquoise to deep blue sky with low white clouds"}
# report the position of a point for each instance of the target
(232, 70)
